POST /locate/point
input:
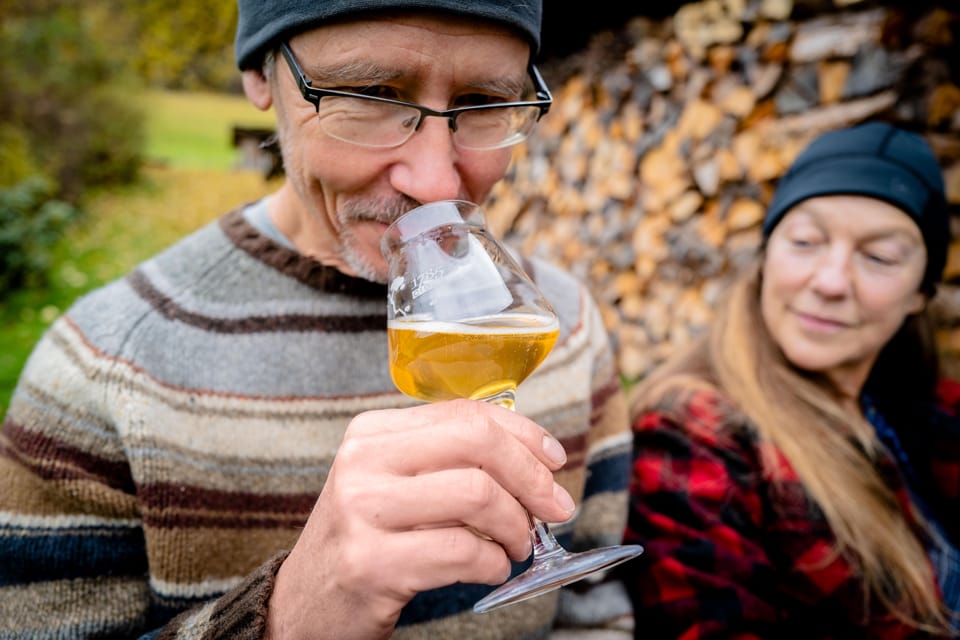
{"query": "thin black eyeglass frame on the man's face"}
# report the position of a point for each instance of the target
(313, 95)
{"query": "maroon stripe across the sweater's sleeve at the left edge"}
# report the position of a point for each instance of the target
(53, 459)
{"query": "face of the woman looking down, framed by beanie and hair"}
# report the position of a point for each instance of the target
(840, 275)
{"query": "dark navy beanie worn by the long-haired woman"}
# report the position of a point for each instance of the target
(878, 161)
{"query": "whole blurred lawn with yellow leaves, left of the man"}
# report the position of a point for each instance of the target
(189, 181)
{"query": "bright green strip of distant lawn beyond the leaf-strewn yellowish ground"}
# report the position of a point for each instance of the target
(195, 130)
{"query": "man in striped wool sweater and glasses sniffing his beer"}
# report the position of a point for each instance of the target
(169, 438)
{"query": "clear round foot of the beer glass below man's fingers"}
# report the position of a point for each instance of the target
(554, 571)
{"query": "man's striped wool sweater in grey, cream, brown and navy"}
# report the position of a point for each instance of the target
(170, 434)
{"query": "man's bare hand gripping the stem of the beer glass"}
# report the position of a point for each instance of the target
(416, 499)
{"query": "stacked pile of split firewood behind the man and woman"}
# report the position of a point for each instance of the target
(649, 177)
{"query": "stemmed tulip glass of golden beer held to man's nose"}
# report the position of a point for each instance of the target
(465, 321)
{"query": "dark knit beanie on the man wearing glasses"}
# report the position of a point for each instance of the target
(263, 23)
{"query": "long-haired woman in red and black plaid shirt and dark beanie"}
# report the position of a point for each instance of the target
(796, 471)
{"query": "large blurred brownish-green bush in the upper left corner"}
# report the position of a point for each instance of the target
(65, 105)
